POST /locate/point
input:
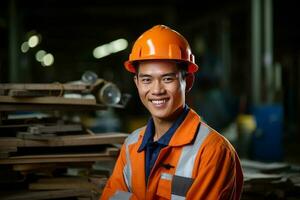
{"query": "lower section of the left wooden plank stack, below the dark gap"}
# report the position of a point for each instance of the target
(48, 152)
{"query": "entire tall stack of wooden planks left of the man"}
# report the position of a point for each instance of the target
(49, 157)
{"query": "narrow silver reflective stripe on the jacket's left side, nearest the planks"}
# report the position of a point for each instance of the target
(127, 172)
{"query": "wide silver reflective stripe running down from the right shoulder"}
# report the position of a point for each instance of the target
(188, 155)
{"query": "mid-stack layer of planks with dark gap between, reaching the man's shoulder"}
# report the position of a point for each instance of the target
(70, 148)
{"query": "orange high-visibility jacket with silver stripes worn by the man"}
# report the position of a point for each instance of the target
(198, 163)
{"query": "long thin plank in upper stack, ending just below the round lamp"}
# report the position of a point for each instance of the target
(47, 100)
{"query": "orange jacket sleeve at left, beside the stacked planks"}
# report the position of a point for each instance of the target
(116, 181)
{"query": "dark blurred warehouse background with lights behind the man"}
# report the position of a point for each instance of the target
(248, 52)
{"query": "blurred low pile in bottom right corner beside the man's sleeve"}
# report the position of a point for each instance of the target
(263, 180)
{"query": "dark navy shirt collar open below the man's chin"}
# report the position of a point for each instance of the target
(165, 139)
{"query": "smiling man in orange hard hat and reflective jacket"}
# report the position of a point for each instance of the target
(176, 155)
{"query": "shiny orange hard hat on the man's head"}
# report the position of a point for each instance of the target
(161, 43)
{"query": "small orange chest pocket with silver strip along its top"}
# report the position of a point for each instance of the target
(164, 186)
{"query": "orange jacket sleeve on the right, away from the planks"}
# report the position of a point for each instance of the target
(219, 174)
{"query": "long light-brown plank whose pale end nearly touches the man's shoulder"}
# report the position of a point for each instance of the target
(70, 140)
